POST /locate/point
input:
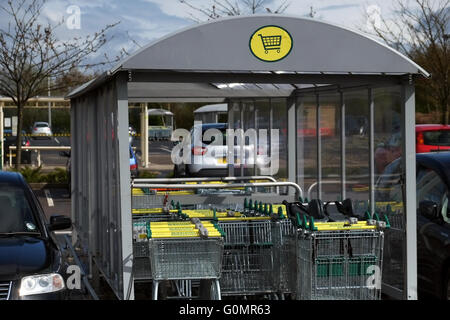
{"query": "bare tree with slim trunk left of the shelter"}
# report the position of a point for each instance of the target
(30, 54)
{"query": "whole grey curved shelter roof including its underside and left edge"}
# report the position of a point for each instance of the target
(223, 47)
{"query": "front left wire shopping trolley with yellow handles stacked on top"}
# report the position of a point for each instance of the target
(179, 252)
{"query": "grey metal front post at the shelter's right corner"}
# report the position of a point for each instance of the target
(409, 163)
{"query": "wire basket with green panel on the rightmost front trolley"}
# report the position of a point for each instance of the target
(338, 264)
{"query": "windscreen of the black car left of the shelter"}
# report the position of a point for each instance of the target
(15, 211)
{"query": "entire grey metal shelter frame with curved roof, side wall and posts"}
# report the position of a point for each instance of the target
(212, 62)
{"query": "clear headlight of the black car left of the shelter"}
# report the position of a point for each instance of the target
(39, 284)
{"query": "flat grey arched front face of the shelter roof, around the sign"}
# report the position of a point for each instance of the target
(224, 45)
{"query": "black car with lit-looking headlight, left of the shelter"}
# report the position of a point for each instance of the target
(32, 265)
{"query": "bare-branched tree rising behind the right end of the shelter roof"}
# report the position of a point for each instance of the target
(420, 31)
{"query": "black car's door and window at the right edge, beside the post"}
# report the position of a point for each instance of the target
(432, 233)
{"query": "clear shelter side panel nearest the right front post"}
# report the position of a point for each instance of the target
(389, 183)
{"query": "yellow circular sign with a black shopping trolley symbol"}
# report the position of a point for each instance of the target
(270, 43)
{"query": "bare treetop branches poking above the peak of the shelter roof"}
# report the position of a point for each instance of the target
(224, 8)
